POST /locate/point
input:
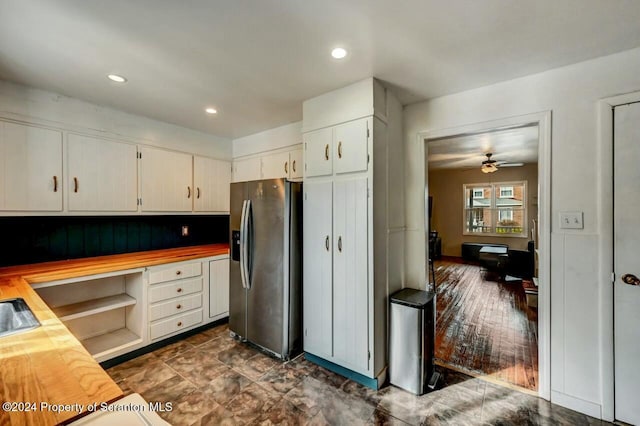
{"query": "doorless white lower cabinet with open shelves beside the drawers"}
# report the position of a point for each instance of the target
(106, 314)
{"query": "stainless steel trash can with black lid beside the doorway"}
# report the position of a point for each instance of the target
(412, 340)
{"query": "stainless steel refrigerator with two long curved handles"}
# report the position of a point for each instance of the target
(266, 265)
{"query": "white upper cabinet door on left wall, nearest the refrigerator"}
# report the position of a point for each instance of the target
(211, 179)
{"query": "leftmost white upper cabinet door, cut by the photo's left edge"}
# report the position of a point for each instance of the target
(30, 168)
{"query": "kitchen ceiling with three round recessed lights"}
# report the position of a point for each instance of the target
(256, 61)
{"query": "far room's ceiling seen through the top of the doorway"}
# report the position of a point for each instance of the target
(514, 145)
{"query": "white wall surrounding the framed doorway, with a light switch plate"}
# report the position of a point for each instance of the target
(571, 93)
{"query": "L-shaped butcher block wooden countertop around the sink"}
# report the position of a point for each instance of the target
(46, 375)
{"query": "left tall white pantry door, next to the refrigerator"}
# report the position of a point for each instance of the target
(317, 271)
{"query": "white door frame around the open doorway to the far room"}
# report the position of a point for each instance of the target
(543, 121)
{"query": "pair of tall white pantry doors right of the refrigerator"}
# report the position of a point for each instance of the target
(336, 282)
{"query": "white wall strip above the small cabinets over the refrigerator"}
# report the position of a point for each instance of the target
(279, 137)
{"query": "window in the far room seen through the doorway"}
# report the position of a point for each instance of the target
(498, 209)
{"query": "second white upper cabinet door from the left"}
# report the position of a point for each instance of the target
(102, 175)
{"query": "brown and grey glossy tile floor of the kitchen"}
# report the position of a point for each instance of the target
(213, 380)
